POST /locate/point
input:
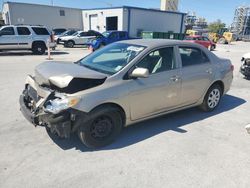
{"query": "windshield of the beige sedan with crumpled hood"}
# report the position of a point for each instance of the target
(112, 58)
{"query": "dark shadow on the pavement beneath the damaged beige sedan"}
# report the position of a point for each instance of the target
(146, 129)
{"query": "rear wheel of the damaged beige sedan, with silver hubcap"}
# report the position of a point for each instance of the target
(212, 98)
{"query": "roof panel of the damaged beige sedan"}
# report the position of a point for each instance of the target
(158, 42)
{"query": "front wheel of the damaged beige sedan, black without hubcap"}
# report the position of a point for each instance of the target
(102, 128)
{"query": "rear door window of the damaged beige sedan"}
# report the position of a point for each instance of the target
(192, 56)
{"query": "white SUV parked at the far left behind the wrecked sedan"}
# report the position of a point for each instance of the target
(26, 37)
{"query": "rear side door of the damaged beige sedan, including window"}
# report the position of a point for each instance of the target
(196, 74)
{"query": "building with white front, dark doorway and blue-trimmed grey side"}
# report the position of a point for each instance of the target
(133, 19)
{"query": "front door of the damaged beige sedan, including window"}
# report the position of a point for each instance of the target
(161, 90)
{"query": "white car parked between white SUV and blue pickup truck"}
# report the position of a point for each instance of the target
(81, 38)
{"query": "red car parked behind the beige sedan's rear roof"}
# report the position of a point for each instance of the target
(204, 41)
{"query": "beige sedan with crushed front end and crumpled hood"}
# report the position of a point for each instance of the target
(121, 84)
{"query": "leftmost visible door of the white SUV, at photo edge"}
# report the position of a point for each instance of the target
(8, 38)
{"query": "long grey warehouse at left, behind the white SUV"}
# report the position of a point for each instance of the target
(34, 14)
